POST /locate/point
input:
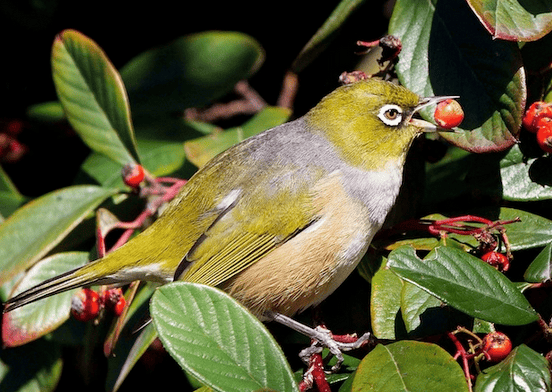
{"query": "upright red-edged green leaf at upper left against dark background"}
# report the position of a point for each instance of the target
(93, 96)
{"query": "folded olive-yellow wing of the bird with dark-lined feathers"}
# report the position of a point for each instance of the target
(252, 221)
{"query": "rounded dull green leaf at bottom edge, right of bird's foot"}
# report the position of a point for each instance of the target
(409, 366)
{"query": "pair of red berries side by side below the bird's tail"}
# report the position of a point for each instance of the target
(87, 304)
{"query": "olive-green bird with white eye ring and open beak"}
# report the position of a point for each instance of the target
(279, 220)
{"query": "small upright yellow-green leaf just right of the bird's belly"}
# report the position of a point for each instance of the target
(385, 304)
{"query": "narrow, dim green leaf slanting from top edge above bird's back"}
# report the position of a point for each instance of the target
(320, 40)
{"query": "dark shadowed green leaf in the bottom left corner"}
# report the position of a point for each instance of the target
(35, 367)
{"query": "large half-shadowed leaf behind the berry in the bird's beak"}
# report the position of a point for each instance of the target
(446, 51)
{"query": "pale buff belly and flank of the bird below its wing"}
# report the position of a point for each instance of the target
(310, 266)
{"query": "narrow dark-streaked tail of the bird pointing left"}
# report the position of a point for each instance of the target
(82, 276)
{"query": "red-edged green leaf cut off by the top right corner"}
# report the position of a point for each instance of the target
(514, 20)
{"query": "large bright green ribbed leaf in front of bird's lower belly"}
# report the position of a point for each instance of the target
(217, 341)
